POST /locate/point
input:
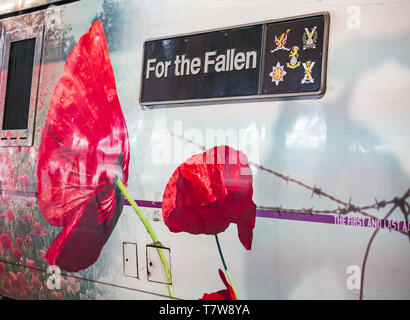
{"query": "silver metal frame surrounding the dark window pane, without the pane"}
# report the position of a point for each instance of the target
(22, 137)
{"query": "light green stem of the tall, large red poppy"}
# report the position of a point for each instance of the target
(151, 232)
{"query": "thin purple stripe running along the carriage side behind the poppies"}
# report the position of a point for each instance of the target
(274, 214)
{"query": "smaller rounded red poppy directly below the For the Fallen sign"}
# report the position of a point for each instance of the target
(208, 192)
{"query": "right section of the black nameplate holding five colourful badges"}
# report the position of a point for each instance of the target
(293, 56)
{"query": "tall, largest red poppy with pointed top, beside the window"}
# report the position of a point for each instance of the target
(84, 148)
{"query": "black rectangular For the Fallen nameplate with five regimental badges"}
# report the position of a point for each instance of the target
(275, 59)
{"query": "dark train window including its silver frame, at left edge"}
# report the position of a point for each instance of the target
(20, 68)
